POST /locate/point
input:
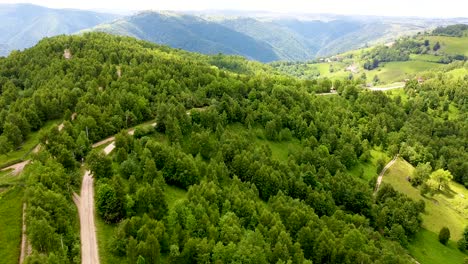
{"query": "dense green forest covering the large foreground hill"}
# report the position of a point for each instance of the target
(216, 118)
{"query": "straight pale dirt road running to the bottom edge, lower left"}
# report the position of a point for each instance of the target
(85, 204)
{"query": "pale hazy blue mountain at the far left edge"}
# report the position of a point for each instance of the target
(23, 25)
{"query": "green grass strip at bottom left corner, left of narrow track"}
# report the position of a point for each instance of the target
(11, 204)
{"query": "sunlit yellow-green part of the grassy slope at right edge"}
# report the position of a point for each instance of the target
(443, 209)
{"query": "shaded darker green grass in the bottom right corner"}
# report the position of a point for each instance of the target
(427, 249)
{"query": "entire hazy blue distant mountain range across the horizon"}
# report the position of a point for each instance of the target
(259, 36)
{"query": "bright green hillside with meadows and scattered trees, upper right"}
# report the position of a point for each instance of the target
(405, 58)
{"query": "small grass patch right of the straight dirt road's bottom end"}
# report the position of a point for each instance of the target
(105, 234)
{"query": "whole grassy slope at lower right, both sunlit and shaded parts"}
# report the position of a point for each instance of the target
(447, 209)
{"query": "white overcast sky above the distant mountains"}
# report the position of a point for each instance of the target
(422, 8)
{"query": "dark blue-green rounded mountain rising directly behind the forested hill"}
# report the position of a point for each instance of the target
(190, 33)
